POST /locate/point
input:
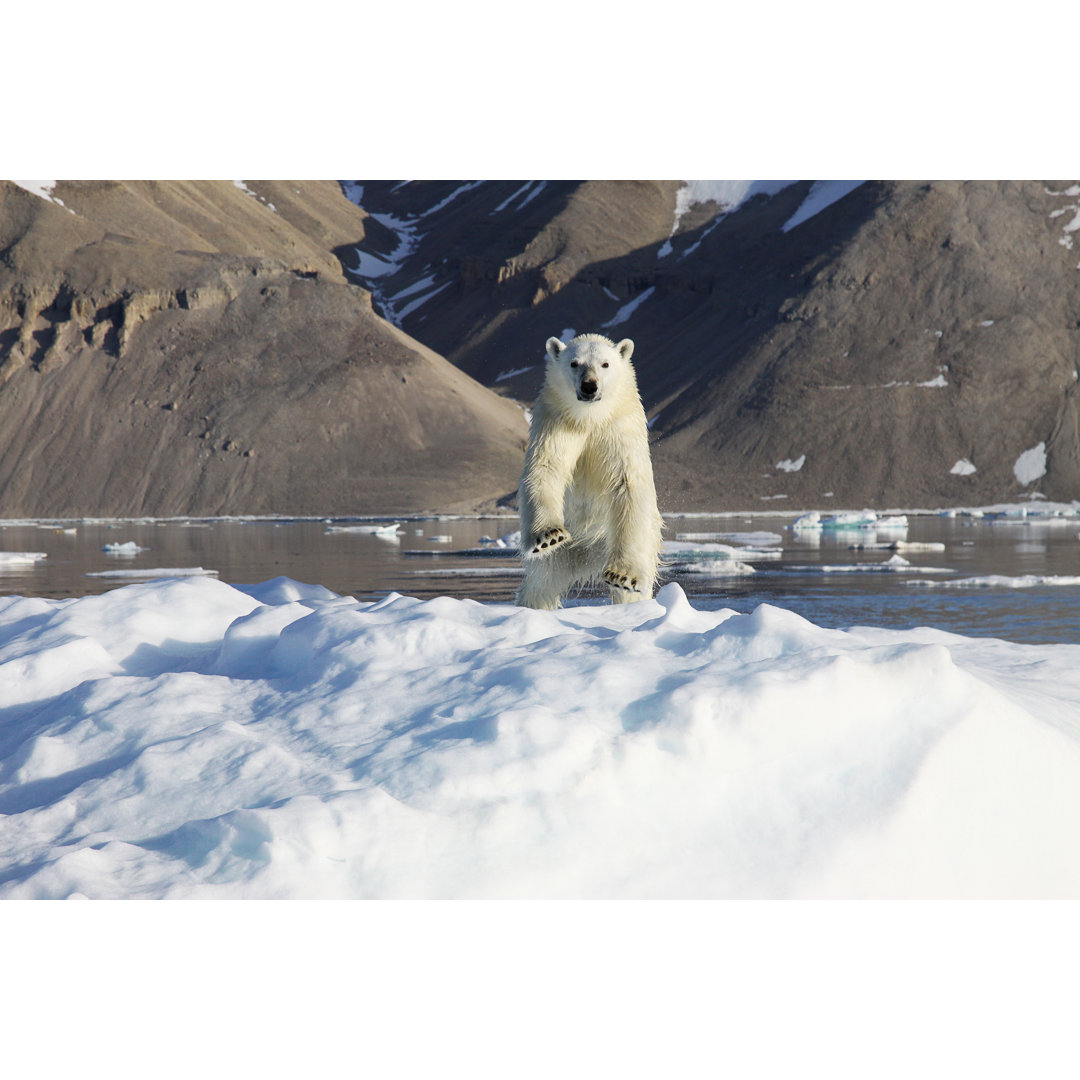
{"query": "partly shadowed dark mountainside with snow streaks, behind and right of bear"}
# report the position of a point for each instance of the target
(910, 344)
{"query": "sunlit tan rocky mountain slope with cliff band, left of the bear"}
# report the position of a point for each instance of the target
(194, 348)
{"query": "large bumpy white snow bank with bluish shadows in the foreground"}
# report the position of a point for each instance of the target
(186, 738)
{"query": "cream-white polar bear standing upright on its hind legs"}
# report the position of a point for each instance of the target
(587, 501)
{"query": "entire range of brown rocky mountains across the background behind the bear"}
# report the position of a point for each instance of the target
(367, 347)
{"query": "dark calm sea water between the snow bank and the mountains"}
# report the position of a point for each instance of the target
(430, 558)
